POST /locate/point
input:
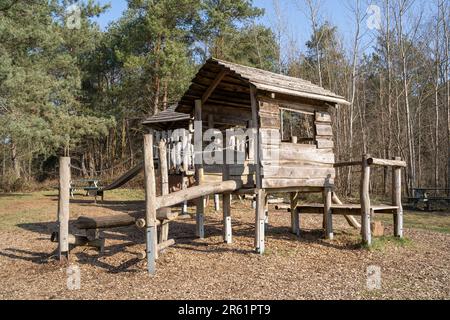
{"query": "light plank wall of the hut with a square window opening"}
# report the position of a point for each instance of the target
(296, 165)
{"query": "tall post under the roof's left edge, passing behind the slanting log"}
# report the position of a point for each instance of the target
(200, 214)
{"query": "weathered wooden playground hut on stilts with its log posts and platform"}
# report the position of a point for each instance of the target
(285, 116)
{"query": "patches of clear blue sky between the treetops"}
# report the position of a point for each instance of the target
(296, 26)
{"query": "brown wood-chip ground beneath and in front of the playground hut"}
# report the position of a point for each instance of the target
(292, 268)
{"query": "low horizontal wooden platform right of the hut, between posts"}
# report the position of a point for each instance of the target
(346, 209)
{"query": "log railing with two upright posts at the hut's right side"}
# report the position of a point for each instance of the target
(367, 162)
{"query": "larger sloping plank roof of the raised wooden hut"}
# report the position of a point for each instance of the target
(230, 83)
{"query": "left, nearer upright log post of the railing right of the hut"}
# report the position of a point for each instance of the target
(365, 201)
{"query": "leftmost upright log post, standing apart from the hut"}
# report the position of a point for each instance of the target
(63, 208)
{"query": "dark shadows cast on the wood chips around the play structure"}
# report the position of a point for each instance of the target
(124, 240)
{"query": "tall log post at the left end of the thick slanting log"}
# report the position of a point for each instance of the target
(150, 204)
